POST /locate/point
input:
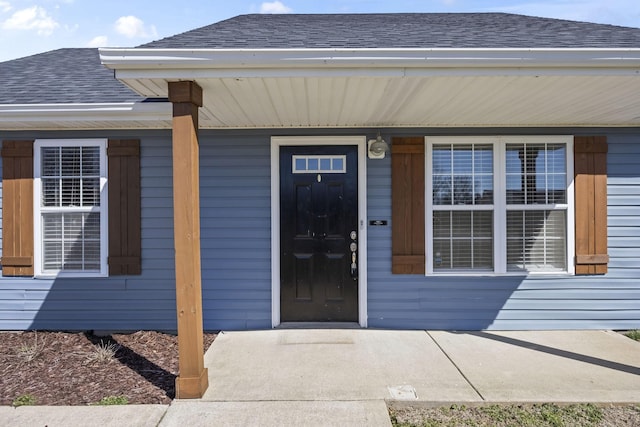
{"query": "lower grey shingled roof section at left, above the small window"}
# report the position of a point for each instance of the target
(61, 76)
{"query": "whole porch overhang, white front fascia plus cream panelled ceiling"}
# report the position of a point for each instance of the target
(395, 87)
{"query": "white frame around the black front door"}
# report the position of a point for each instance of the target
(276, 143)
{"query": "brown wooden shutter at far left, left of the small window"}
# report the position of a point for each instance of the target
(17, 208)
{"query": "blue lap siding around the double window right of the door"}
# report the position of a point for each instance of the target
(471, 303)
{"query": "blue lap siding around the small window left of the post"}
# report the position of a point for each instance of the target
(114, 303)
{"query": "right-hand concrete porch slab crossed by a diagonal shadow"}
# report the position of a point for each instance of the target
(547, 366)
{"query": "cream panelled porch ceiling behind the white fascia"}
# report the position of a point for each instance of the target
(419, 101)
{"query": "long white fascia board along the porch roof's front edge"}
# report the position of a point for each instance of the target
(327, 59)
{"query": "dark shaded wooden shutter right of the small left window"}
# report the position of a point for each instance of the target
(125, 234)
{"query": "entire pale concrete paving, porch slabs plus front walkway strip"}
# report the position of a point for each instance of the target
(325, 377)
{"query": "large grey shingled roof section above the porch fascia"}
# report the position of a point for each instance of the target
(401, 30)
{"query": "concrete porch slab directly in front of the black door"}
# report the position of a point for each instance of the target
(330, 365)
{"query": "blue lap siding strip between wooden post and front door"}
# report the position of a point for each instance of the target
(236, 231)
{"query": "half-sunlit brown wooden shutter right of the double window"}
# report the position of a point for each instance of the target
(590, 167)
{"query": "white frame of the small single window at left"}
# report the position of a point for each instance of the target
(39, 272)
